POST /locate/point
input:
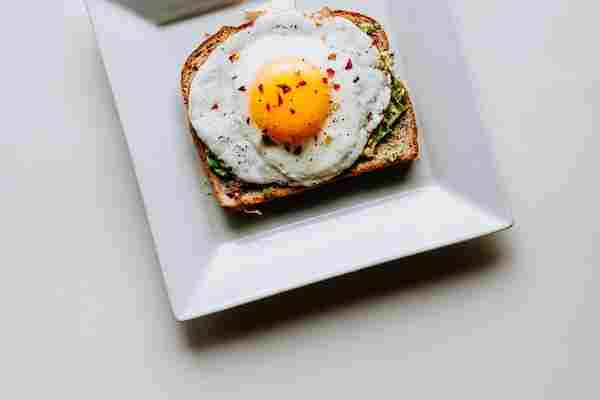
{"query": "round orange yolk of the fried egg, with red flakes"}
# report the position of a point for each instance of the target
(289, 100)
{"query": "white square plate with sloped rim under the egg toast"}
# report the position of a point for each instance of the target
(212, 260)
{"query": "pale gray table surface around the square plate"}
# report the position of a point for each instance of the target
(516, 315)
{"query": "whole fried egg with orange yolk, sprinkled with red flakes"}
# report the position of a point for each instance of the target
(290, 100)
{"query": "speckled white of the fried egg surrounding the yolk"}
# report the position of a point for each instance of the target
(359, 103)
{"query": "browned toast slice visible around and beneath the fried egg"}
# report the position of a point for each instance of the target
(399, 146)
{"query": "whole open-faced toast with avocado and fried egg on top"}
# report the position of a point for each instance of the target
(289, 101)
